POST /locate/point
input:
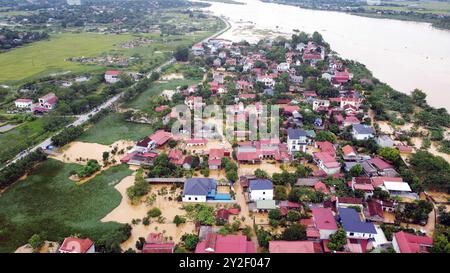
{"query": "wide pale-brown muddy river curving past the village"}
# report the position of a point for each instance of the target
(406, 55)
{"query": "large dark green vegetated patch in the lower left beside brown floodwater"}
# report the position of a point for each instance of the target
(48, 202)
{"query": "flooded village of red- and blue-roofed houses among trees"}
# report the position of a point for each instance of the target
(329, 183)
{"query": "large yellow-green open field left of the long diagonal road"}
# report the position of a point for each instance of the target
(46, 57)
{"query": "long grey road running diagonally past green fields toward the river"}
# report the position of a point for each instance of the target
(81, 119)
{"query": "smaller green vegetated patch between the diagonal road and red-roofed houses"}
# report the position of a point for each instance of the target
(113, 128)
